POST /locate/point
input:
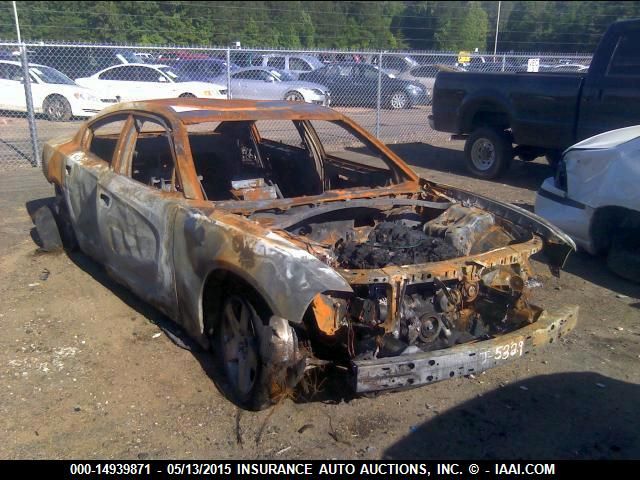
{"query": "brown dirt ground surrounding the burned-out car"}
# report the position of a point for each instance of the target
(85, 371)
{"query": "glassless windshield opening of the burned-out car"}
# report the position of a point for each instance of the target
(259, 160)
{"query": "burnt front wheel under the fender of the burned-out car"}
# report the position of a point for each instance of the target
(237, 346)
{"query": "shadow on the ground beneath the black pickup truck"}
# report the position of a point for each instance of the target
(528, 175)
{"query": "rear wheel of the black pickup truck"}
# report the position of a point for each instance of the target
(488, 153)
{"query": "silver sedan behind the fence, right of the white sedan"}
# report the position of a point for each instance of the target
(259, 83)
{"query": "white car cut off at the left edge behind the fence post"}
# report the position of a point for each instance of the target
(54, 94)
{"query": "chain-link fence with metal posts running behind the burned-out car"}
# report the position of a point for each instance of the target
(70, 83)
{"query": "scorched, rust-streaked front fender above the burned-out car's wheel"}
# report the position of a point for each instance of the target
(286, 276)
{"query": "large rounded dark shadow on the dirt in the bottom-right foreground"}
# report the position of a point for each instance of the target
(560, 416)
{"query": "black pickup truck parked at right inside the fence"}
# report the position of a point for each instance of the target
(541, 113)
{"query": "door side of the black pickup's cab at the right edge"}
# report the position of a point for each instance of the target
(611, 93)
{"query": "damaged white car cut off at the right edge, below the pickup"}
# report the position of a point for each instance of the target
(595, 198)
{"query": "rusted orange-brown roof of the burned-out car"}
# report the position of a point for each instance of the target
(189, 111)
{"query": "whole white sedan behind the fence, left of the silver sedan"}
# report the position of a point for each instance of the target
(140, 81)
